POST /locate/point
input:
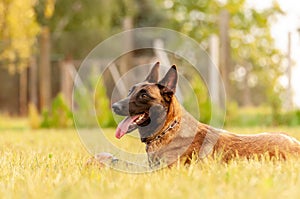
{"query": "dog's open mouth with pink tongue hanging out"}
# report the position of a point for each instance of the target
(130, 123)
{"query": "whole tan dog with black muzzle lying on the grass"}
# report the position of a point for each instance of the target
(171, 133)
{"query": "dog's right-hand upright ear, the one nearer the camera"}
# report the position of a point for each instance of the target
(169, 82)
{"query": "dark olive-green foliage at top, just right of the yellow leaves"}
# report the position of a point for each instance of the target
(86, 22)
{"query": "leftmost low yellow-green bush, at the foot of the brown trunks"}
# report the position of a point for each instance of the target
(60, 115)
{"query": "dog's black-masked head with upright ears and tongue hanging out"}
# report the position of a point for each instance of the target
(147, 104)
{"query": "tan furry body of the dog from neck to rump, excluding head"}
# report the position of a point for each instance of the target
(192, 137)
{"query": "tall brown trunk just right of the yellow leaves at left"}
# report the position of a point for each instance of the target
(44, 69)
